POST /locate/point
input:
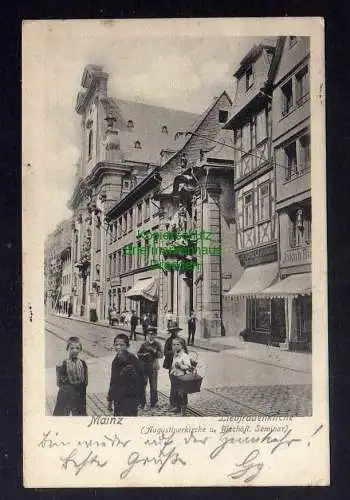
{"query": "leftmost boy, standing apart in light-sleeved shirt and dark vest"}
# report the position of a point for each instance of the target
(72, 380)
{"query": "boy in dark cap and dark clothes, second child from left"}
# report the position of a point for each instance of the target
(127, 381)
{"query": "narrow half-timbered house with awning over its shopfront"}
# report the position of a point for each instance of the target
(256, 222)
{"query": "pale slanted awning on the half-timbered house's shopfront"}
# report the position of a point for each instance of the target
(254, 280)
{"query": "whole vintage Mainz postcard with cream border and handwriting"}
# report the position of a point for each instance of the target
(174, 253)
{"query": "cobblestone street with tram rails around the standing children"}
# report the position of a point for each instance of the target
(231, 387)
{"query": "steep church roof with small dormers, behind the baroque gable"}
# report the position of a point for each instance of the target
(148, 122)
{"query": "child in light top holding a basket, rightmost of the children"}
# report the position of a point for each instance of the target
(181, 364)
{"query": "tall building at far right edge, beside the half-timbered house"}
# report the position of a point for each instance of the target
(291, 144)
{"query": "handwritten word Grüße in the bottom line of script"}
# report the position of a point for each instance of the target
(166, 455)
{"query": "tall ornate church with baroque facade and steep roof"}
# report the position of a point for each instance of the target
(120, 144)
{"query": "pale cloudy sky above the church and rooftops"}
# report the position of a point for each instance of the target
(168, 68)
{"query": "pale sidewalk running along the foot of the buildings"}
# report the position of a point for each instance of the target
(270, 355)
